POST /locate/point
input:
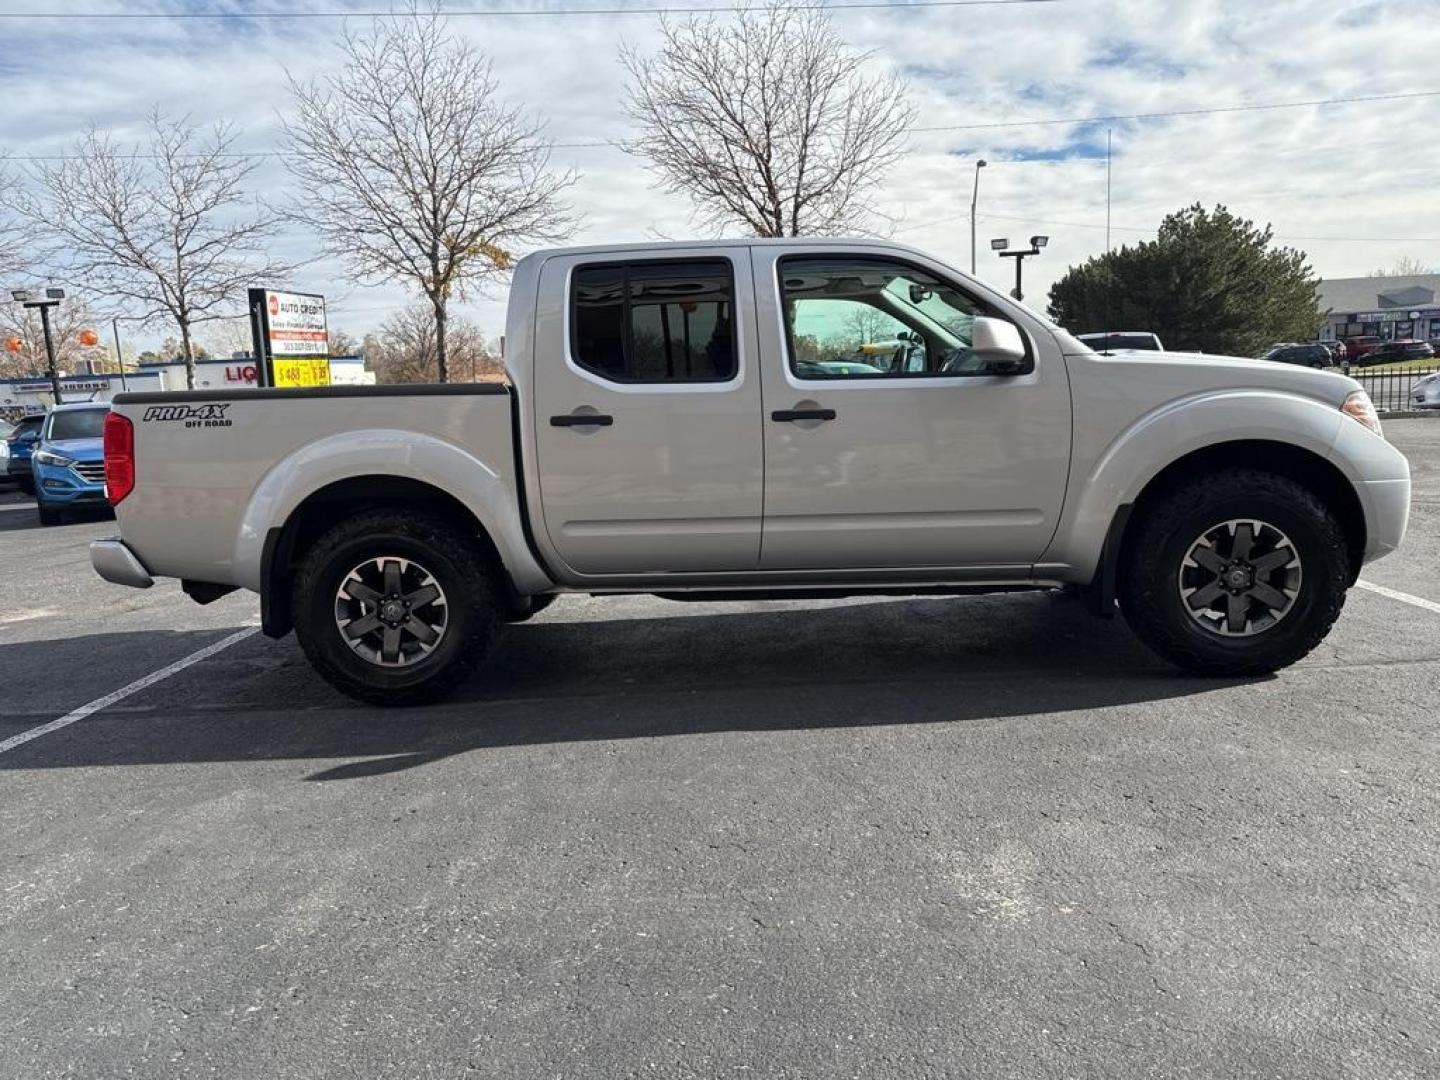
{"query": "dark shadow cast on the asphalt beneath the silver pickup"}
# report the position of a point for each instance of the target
(571, 678)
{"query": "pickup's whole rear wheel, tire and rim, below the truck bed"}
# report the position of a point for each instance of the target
(397, 608)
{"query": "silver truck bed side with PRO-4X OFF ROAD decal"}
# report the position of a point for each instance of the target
(217, 469)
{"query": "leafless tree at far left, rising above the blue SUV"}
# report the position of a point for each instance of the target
(169, 230)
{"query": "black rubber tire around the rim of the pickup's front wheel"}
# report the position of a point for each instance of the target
(1163, 534)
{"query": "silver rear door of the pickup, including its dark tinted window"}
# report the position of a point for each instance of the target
(647, 413)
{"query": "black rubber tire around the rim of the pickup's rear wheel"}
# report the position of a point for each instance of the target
(462, 567)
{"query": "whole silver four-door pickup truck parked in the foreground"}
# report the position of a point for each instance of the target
(762, 420)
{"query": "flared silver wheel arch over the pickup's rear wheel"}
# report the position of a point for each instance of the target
(486, 489)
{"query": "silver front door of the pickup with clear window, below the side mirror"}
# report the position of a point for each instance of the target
(889, 443)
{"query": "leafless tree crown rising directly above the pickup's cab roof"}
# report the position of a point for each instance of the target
(765, 120)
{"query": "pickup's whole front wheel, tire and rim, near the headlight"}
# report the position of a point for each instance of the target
(1239, 572)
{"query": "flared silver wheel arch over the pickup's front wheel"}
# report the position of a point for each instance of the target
(1143, 450)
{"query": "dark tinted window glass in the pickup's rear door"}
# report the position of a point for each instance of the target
(654, 320)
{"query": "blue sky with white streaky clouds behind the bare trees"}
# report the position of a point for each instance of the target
(1353, 185)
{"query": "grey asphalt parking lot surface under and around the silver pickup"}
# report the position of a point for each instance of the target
(977, 837)
